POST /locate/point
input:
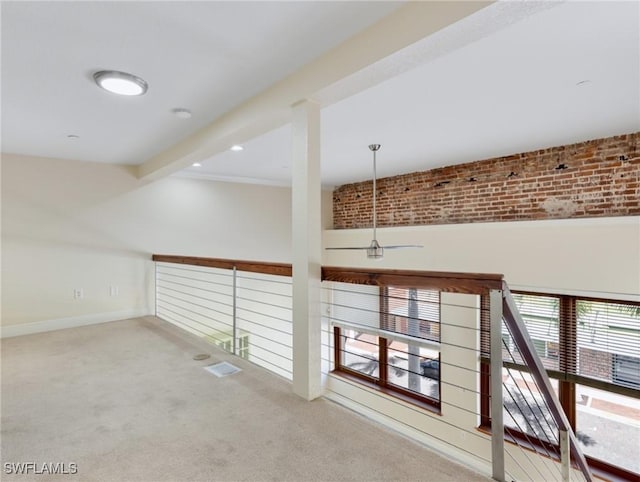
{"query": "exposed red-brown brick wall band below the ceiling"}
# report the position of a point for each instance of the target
(589, 179)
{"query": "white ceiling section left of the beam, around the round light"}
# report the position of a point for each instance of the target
(207, 57)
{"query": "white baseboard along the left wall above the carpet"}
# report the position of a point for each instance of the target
(72, 322)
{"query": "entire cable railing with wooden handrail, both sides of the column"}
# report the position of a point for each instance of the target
(404, 347)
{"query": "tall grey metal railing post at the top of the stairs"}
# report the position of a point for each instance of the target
(497, 423)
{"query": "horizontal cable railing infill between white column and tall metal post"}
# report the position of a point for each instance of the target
(368, 307)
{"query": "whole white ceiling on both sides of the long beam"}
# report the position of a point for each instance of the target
(512, 77)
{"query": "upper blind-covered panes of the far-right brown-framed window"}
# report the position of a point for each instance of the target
(581, 340)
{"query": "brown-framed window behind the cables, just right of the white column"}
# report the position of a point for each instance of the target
(389, 338)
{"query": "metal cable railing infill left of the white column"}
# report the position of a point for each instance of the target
(245, 313)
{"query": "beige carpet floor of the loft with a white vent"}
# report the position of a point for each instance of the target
(125, 401)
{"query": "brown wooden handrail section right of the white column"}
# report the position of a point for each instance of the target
(469, 283)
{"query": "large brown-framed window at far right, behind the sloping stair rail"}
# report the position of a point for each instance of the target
(591, 349)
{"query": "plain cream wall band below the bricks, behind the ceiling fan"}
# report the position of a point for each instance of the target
(591, 257)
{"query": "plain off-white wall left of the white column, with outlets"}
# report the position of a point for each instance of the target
(72, 224)
